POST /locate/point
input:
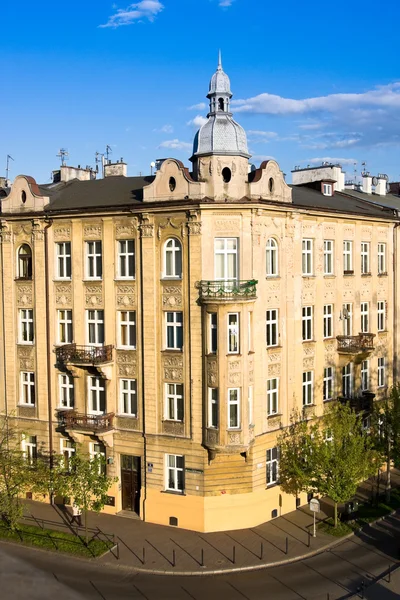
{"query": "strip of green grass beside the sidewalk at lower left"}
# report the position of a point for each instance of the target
(58, 541)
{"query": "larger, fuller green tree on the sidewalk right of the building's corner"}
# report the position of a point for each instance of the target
(343, 455)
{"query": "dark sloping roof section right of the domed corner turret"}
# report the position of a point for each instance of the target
(305, 197)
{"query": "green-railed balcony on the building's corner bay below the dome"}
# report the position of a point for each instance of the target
(227, 291)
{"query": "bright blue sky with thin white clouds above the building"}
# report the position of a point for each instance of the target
(312, 81)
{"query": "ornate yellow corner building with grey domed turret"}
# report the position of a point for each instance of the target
(174, 322)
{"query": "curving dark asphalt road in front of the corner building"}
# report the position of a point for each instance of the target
(25, 572)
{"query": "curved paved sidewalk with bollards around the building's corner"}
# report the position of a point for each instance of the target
(160, 549)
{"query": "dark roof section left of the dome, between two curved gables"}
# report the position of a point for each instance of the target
(98, 193)
